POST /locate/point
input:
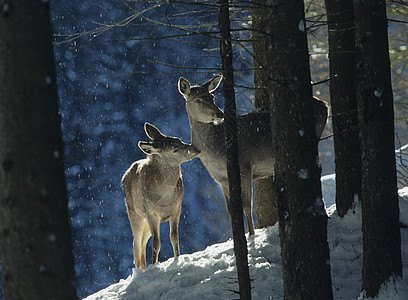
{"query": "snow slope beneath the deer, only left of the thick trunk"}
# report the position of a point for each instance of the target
(208, 274)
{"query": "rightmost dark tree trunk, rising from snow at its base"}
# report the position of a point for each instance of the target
(381, 231)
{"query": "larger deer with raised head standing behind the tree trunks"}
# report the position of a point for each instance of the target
(254, 139)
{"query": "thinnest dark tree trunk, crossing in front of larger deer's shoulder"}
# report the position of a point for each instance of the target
(234, 176)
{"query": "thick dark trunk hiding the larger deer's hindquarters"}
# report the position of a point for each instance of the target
(302, 216)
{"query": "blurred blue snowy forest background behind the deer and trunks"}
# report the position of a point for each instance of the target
(110, 83)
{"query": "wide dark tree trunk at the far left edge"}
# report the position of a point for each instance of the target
(35, 248)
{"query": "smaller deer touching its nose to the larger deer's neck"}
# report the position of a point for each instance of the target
(153, 191)
